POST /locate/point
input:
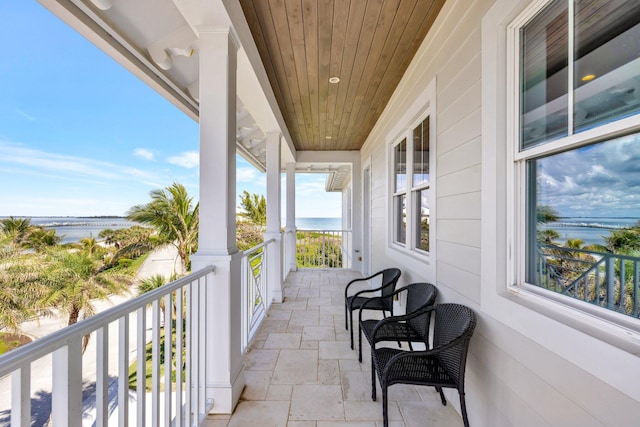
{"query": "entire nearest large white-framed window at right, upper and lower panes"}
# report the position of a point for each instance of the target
(576, 151)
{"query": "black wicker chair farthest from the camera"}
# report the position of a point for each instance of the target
(390, 278)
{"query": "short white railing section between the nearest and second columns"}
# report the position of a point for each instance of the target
(255, 292)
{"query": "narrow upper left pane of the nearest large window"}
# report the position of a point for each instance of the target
(544, 103)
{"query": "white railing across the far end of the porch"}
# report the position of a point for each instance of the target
(323, 248)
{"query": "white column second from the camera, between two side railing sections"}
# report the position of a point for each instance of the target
(273, 218)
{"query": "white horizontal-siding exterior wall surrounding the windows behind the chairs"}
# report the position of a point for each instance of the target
(553, 376)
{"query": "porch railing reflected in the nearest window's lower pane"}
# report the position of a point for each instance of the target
(600, 278)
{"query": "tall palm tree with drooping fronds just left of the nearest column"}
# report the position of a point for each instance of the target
(173, 213)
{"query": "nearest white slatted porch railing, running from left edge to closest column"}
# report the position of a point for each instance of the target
(171, 333)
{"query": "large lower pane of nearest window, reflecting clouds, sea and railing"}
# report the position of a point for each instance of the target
(583, 220)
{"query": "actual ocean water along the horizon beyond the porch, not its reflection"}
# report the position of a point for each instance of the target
(72, 229)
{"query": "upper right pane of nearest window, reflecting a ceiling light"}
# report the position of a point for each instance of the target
(607, 64)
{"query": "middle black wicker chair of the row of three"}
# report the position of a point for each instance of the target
(399, 328)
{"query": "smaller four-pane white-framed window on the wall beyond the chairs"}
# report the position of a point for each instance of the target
(411, 195)
